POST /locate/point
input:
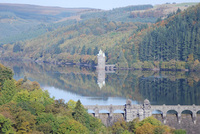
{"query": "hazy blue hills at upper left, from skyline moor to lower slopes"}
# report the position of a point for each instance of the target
(19, 22)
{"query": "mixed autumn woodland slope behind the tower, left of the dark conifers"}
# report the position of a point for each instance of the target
(77, 43)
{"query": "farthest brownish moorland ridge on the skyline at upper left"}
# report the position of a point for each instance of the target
(40, 13)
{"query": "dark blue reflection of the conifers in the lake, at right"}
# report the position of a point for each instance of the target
(166, 91)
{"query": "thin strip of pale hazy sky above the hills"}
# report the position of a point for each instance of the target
(101, 4)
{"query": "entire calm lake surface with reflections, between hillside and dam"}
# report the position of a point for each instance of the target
(105, 88)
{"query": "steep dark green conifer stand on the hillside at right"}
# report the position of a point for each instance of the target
(174, 39)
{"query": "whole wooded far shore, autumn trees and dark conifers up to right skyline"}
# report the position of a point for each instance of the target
(172, 43)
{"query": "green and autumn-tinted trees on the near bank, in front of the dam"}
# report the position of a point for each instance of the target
(26, 108)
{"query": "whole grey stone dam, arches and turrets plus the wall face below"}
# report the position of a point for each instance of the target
(128, 112)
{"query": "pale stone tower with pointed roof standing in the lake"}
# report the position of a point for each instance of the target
(101, 60)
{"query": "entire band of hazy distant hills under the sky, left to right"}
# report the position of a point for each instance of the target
(21, 22)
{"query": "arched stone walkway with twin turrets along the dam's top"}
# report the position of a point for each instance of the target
(131, 112)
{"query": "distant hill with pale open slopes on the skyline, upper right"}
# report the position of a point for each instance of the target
(138, 13)
